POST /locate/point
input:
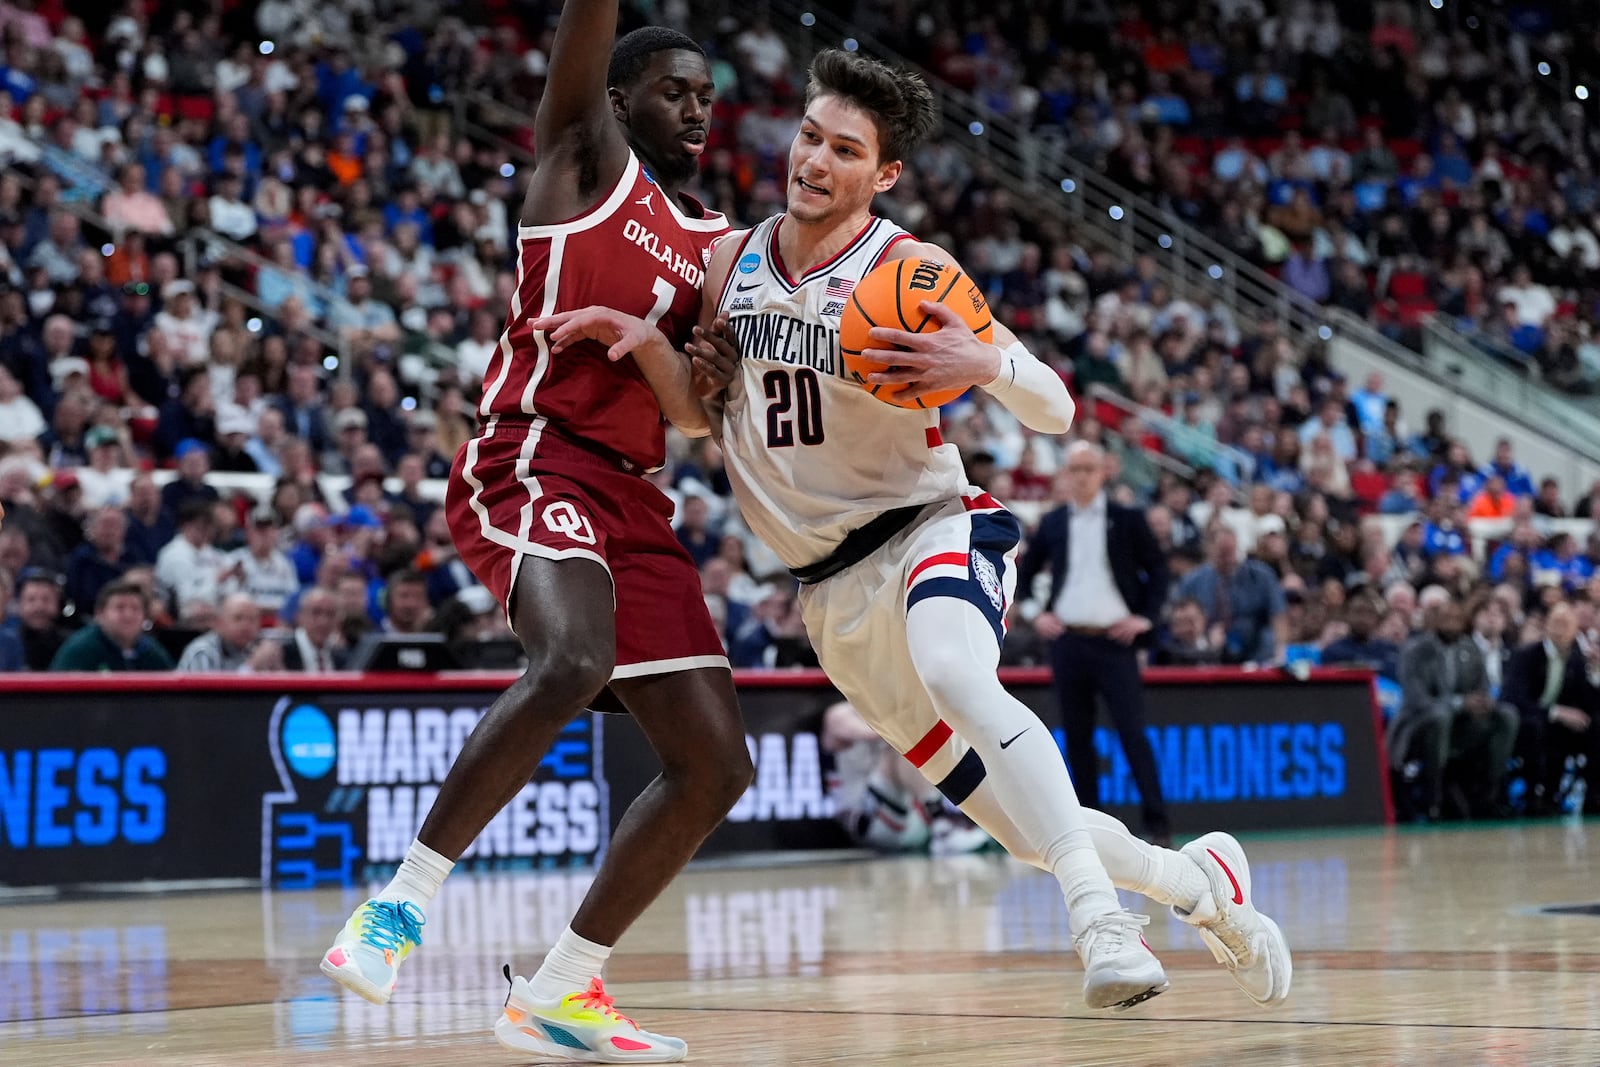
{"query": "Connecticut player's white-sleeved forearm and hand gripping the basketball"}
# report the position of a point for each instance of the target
(954, 358)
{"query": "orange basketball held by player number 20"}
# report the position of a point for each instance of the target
(892, 297)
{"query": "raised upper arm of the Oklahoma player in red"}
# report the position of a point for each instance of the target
(580, 146)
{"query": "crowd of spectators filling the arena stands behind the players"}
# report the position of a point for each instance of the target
(1385, 159)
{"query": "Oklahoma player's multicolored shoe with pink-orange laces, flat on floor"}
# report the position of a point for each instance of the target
(582, 1028)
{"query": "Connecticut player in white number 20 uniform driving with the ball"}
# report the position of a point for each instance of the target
(906, 570)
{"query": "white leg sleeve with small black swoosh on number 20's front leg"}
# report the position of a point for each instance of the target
(956, 655)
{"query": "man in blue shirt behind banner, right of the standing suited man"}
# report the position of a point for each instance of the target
(1242, 599)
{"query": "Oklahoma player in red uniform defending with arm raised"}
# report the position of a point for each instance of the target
(551, 510)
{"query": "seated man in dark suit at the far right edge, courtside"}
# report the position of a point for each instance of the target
(1556, 689)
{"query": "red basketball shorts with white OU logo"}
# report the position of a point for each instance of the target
(519, 490)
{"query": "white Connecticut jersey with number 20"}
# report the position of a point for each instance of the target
(810, 454)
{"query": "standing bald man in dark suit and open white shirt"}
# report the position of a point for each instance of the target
(1108, 583)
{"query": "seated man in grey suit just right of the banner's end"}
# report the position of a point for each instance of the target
(1449, 717)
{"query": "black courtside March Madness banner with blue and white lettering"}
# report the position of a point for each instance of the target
(121, 778)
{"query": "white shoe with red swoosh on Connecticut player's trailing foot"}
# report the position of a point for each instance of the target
(1242, 940)
